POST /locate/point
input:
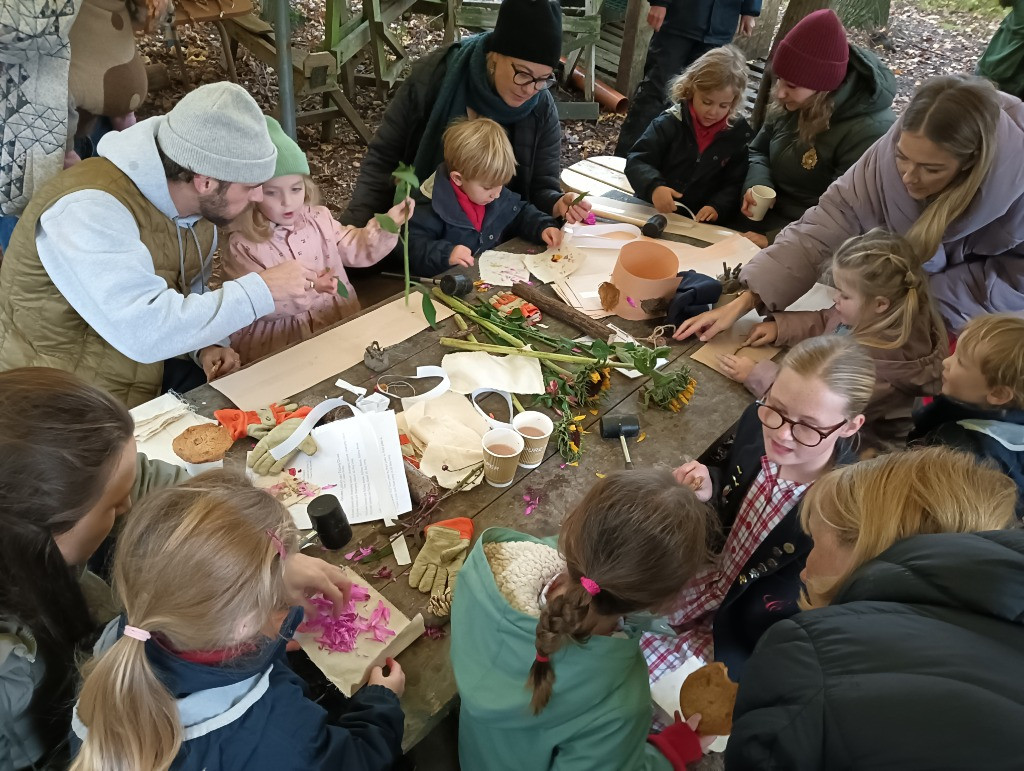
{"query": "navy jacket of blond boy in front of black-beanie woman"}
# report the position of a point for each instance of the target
(440, 225)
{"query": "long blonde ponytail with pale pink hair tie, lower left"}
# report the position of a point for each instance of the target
(198, 568)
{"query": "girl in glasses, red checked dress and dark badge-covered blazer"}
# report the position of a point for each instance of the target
(803, 427)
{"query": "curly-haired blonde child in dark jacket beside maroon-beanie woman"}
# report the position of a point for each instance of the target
(696, 152)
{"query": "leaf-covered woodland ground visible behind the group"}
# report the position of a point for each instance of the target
(924, 38)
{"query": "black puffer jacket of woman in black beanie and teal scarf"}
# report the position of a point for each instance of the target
(536, 143)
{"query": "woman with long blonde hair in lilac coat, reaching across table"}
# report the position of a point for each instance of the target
(949, 177)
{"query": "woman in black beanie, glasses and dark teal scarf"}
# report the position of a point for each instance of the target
(503, 75)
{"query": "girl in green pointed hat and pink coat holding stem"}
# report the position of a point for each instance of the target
(288, 225)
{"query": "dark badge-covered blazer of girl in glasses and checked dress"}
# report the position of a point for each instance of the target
(770, 585)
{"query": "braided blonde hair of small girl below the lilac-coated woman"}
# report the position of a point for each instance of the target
(883, 265)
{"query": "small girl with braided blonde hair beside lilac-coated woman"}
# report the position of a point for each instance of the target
(882, 299)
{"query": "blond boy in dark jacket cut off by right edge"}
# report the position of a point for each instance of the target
(982, 408)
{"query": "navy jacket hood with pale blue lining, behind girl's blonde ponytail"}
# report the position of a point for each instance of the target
(208, 698)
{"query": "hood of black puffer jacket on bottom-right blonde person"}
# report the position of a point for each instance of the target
(976, 573)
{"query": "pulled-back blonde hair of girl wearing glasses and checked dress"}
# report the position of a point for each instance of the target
(841, 364)
